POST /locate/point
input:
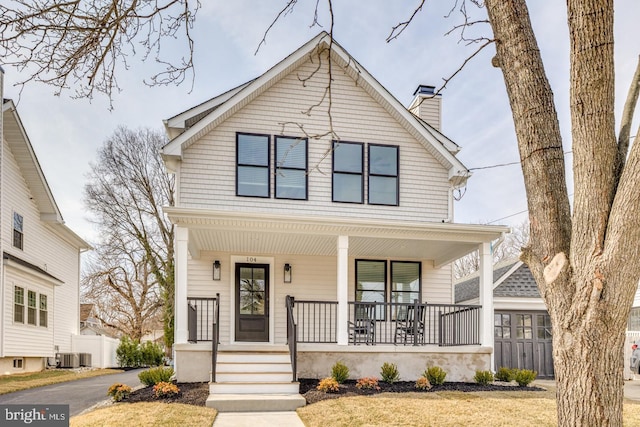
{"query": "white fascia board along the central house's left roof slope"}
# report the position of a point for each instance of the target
(174, 147)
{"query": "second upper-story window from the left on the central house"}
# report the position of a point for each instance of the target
(291, 168)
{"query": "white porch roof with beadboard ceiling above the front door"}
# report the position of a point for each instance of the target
(280, 234)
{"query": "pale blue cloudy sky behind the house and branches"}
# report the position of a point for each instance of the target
(66, 133)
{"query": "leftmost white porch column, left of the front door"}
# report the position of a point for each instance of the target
(181, 333)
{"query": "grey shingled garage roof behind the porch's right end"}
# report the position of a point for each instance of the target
(511, 279)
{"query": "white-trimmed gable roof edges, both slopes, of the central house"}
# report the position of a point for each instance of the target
(191, 125)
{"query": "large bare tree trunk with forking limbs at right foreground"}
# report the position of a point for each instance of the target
(584, 265)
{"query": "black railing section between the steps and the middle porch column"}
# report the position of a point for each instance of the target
(316, 321)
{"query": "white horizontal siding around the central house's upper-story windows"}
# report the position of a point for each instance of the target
(207, 172)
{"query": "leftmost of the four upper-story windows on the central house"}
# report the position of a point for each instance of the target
(252, 165)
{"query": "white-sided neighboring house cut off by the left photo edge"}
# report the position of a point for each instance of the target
(40, 269)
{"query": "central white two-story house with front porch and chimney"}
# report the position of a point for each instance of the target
(290, 219)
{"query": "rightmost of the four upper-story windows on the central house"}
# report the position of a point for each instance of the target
(383, 175)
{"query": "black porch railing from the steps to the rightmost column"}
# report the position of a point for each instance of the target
(442, 324)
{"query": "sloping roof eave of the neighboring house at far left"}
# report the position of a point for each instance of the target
(20, 145)
